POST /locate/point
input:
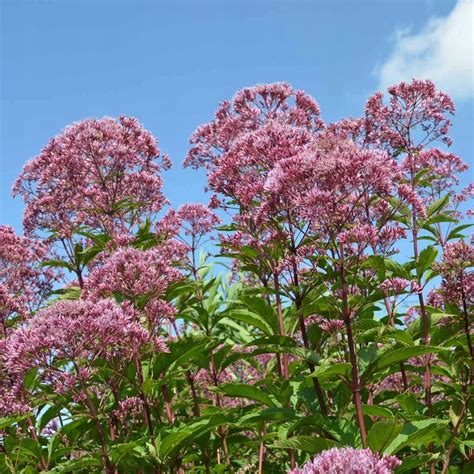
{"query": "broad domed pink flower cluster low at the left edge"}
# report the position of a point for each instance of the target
(62, 341)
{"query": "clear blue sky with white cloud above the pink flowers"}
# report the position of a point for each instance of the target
(170, 63)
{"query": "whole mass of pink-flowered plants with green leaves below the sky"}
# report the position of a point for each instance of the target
(344, 318)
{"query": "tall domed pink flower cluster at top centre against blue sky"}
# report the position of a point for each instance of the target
(259, 127)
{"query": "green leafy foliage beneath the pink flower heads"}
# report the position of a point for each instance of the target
(219, 398)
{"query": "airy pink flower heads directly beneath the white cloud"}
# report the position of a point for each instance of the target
(414, 118)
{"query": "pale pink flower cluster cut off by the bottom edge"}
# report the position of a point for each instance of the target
(349, 461)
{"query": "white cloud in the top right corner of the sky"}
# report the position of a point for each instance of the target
(442, 51)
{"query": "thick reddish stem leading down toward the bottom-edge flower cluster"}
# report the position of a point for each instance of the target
(352, 351)
